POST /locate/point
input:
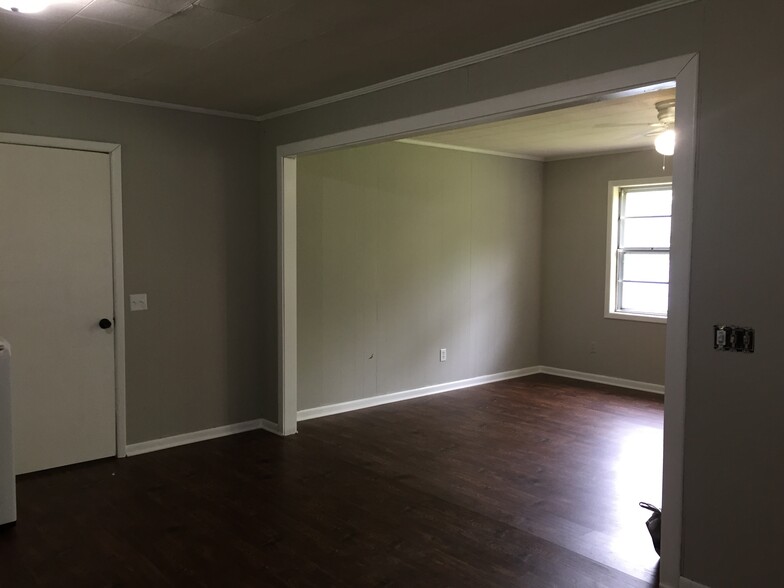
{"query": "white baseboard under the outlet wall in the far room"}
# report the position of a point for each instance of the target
(330, 409)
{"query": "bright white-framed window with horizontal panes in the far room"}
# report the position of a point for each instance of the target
(638, 249)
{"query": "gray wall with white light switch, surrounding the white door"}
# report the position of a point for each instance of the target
(191, 224)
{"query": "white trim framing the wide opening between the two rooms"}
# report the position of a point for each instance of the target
(683, 71)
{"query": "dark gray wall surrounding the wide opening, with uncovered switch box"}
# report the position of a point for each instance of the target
(733, 525)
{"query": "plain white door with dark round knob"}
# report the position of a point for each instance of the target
(55, 287)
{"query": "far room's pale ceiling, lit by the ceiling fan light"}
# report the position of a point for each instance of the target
(613, 125)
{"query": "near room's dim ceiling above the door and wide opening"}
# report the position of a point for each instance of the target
(259, 56)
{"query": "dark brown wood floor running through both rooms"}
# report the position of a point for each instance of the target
(530, 482)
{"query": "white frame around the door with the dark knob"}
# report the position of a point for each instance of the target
(115, 177)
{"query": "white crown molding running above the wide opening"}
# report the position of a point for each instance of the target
(572, 31)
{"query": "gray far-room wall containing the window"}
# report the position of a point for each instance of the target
(573, 273)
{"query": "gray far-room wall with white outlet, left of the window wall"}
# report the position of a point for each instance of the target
(403, 250)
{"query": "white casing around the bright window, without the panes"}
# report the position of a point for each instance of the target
(615, 188)
